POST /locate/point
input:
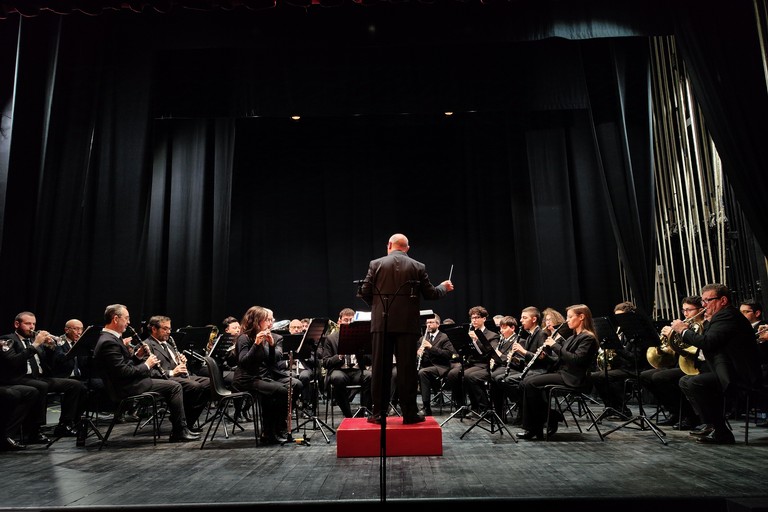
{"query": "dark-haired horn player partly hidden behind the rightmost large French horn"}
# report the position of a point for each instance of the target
(664, 382)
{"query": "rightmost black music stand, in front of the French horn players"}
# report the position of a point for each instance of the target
(640, 333)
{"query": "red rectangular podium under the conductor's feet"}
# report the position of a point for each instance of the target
(355, 437)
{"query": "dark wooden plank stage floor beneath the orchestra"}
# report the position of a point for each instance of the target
(631, 470)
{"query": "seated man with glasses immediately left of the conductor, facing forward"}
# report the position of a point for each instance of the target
(344, 370)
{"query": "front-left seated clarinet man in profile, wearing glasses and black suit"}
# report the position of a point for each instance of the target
(127, 375)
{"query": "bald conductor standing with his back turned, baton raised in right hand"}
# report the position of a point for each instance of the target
(392, 288)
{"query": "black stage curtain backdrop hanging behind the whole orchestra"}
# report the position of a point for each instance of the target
(154, 170)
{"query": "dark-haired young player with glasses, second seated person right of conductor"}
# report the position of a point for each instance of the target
(477, 373)
